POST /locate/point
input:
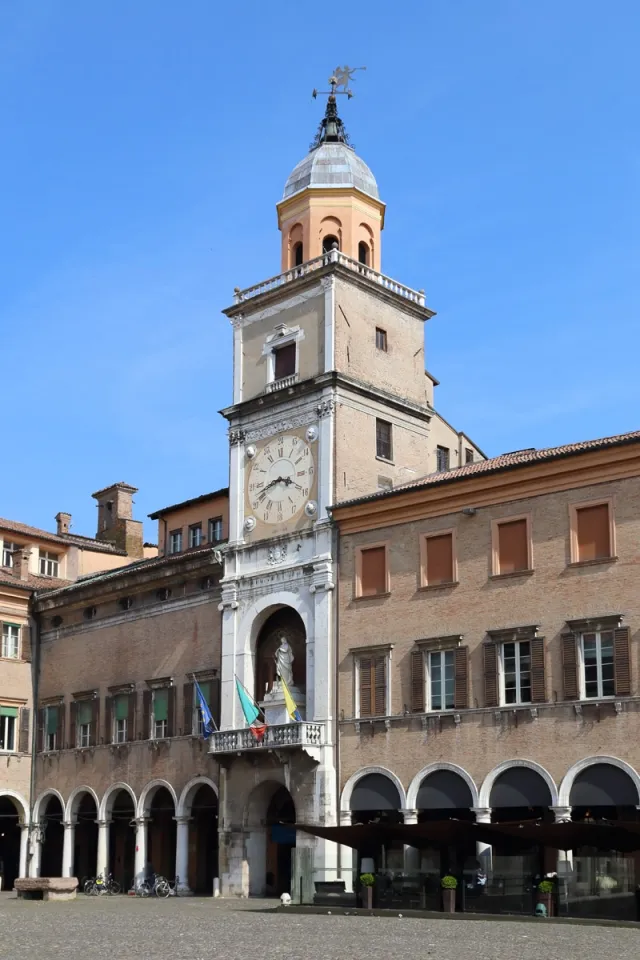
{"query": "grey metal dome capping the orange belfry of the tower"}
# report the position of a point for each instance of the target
(331, 165)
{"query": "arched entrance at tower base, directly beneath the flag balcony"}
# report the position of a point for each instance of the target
(270, 839)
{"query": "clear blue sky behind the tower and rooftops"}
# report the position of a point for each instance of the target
(145, 144)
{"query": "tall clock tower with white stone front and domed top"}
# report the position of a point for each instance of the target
(330, 401)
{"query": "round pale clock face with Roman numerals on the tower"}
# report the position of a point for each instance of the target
(281, 479)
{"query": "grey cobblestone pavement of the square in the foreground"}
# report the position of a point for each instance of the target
(122, 928)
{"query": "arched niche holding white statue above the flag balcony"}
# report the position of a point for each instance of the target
(275, 658)
